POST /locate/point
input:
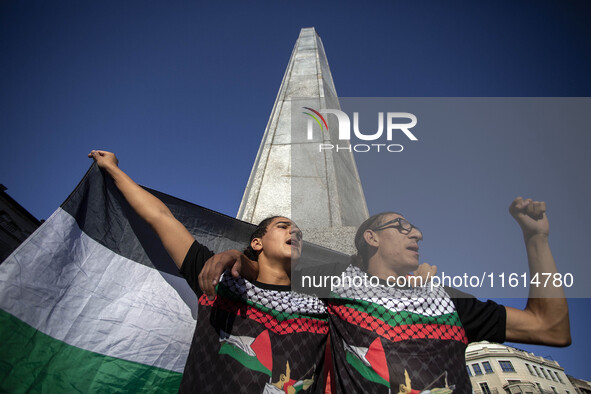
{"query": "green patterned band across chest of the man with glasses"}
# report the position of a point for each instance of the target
(398, 318)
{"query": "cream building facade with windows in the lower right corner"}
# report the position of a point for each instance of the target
(499, 369)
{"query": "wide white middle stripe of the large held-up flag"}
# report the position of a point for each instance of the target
(70, 287)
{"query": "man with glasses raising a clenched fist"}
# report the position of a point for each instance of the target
(393, 339)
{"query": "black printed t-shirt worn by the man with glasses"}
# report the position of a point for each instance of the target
(388, 340)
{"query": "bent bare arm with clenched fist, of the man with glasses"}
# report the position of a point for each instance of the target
(544, 320)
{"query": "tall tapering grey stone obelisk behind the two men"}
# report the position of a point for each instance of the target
(319, 190)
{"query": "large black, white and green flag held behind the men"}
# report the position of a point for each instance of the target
(91, 302)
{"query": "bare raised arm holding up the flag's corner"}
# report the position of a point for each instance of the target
(174, 236)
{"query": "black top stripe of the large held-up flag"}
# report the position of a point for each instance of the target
(103, 214)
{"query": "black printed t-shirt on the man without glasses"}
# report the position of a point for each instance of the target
(253, 337)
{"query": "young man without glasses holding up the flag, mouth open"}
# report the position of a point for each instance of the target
(254, 336)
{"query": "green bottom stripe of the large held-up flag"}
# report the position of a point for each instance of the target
(33, 361)
